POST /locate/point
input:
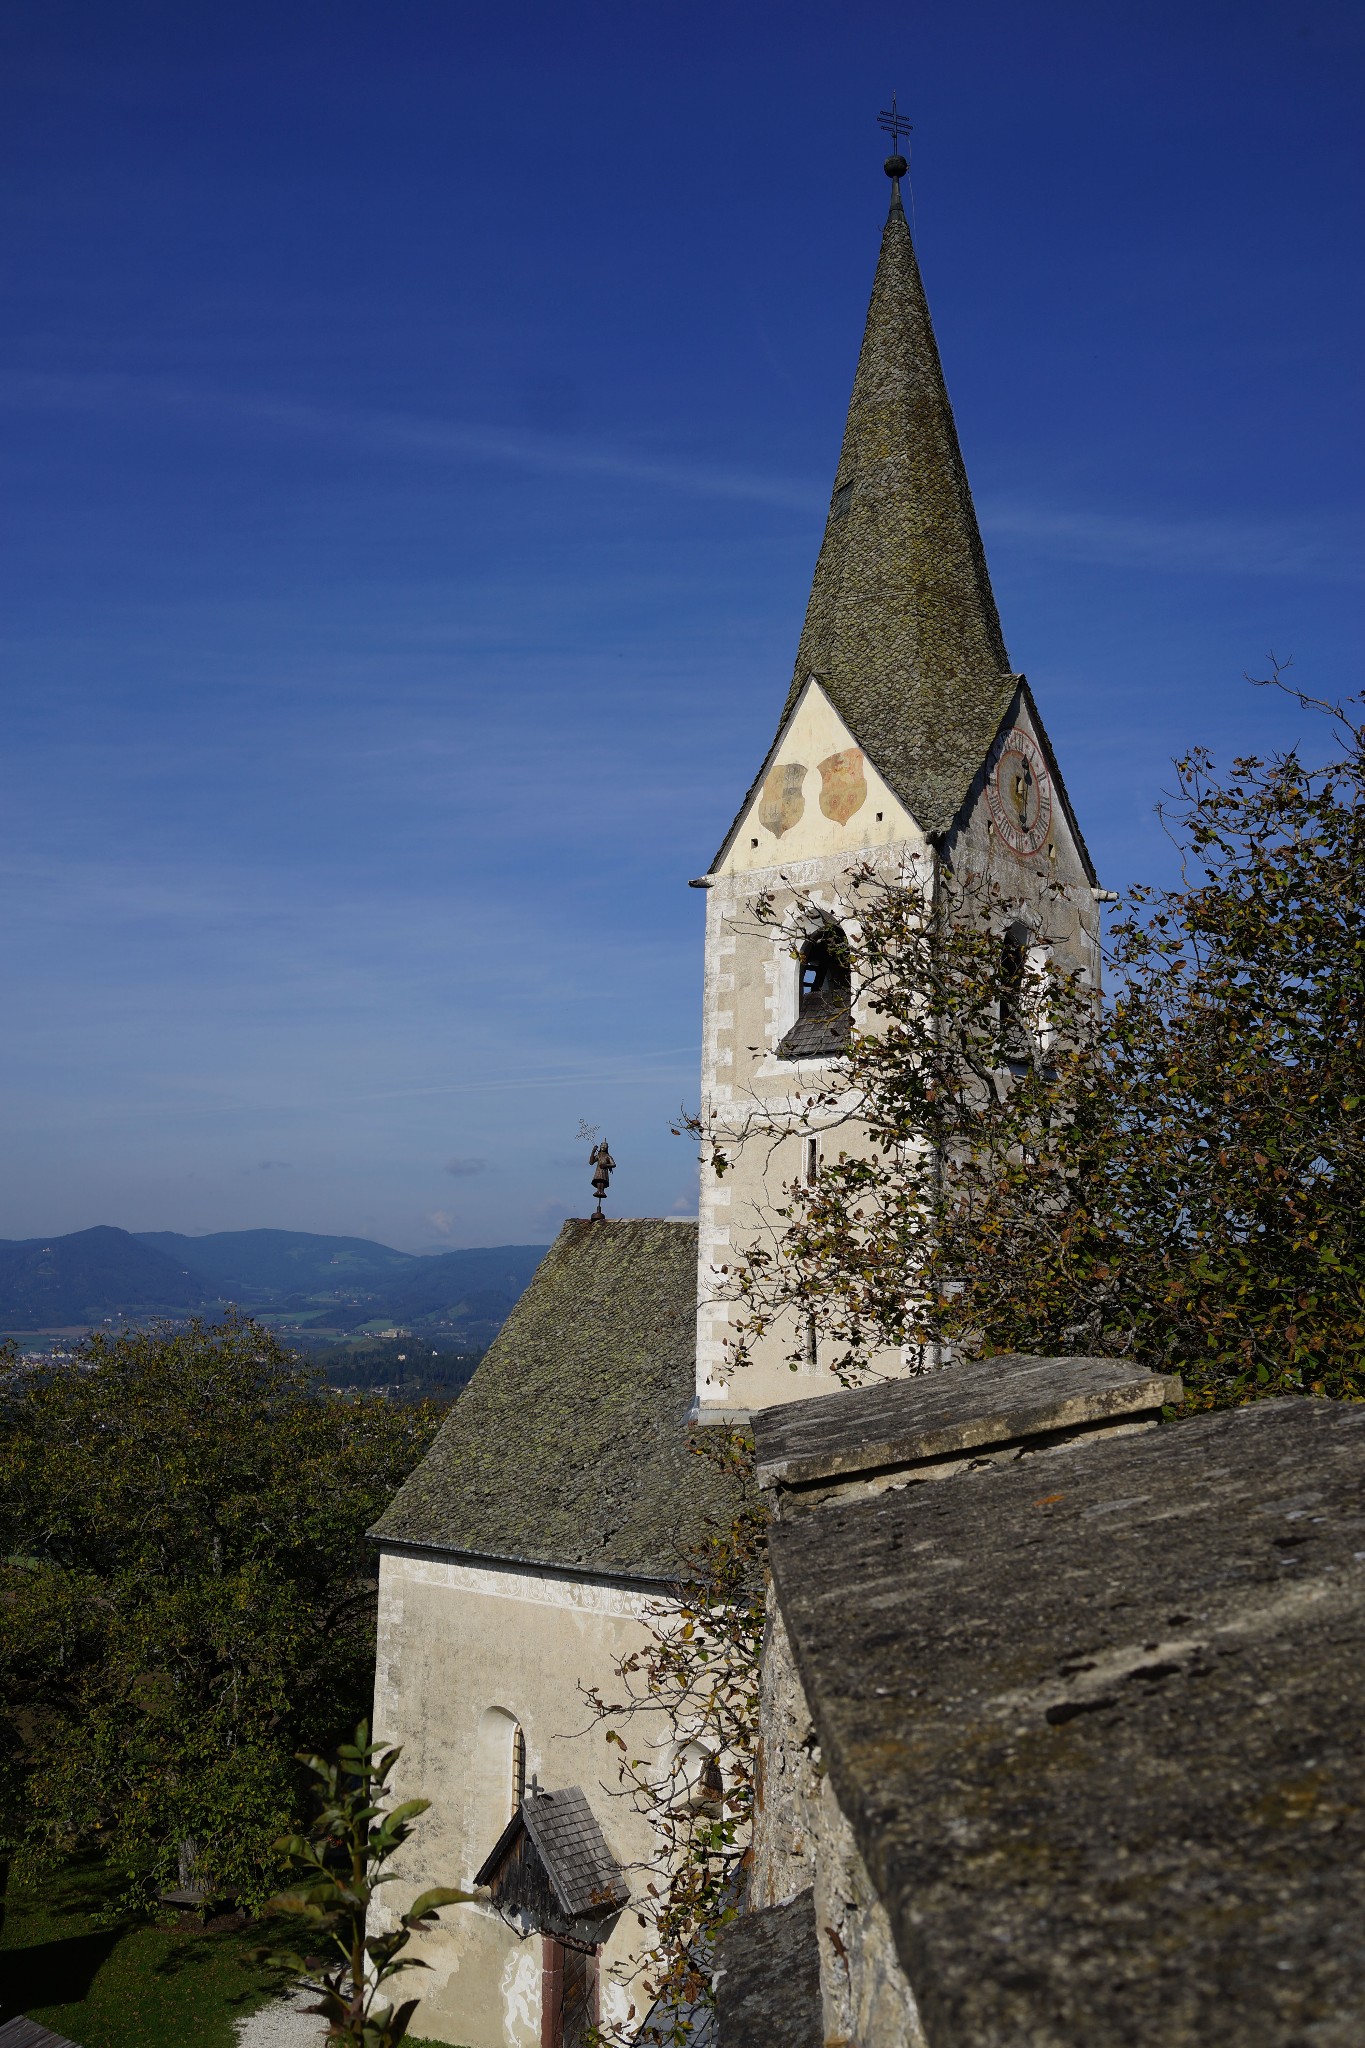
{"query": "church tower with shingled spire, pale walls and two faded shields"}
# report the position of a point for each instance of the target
(906, 740)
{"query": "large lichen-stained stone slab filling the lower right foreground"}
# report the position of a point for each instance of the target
(1098, 1725)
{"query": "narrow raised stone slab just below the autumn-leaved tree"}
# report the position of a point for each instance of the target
(946, 1416)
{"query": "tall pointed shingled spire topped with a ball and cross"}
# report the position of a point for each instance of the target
(901, 628)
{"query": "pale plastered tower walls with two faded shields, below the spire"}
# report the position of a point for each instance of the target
(789, 843)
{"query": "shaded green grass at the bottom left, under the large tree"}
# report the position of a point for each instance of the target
(107, 1979)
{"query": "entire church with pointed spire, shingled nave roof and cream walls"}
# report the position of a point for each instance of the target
(521, 1560)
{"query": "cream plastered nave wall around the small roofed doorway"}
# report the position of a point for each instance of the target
(468, 1652)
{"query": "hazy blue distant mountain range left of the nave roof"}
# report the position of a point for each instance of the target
(298, 1281)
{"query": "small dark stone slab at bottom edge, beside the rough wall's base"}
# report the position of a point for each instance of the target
(768, 1979)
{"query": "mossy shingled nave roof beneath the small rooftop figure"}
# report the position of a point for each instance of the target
(570, 1447)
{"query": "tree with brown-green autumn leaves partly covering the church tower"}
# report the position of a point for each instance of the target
(1174, 1170)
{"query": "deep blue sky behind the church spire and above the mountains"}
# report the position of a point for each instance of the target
(416, 427)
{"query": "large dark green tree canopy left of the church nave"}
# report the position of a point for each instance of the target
(187, 1594)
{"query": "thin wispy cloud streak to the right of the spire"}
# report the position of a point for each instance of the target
(1186, 546)
